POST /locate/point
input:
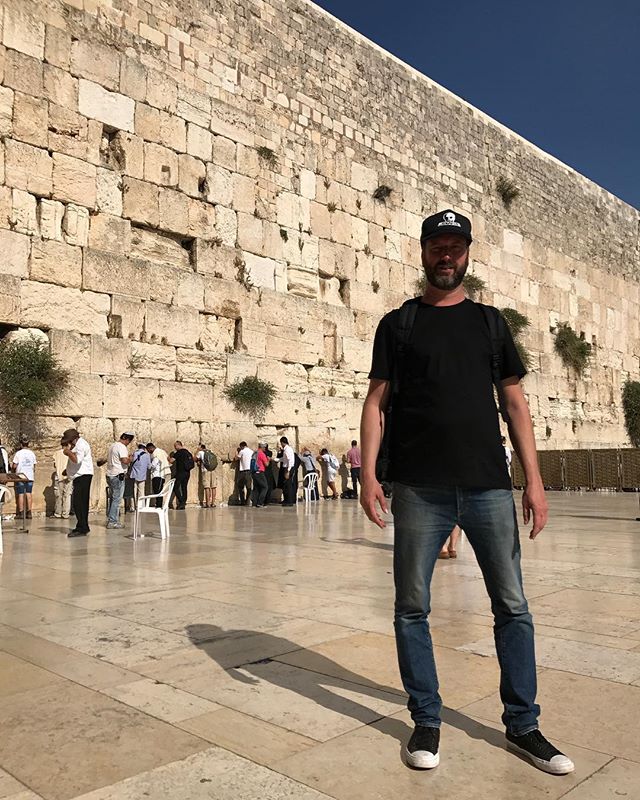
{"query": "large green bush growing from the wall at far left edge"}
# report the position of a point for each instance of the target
(30, 376)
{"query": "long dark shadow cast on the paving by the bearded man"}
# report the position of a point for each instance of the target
(320, 677)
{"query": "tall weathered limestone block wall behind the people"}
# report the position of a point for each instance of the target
(188, 198)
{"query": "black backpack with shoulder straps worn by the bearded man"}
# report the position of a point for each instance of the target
(406, 319)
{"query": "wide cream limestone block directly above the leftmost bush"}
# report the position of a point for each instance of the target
(47, 306)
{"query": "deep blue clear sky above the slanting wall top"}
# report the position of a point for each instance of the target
(565, 74)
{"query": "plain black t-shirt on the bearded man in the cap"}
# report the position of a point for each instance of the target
(445, 428)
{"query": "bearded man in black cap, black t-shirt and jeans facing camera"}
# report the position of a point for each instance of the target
(446, 412)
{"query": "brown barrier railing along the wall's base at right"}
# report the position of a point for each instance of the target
(608, 468)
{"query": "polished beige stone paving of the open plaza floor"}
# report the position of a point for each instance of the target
(251, 656)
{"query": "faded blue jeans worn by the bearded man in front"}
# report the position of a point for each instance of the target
(423, 518)
